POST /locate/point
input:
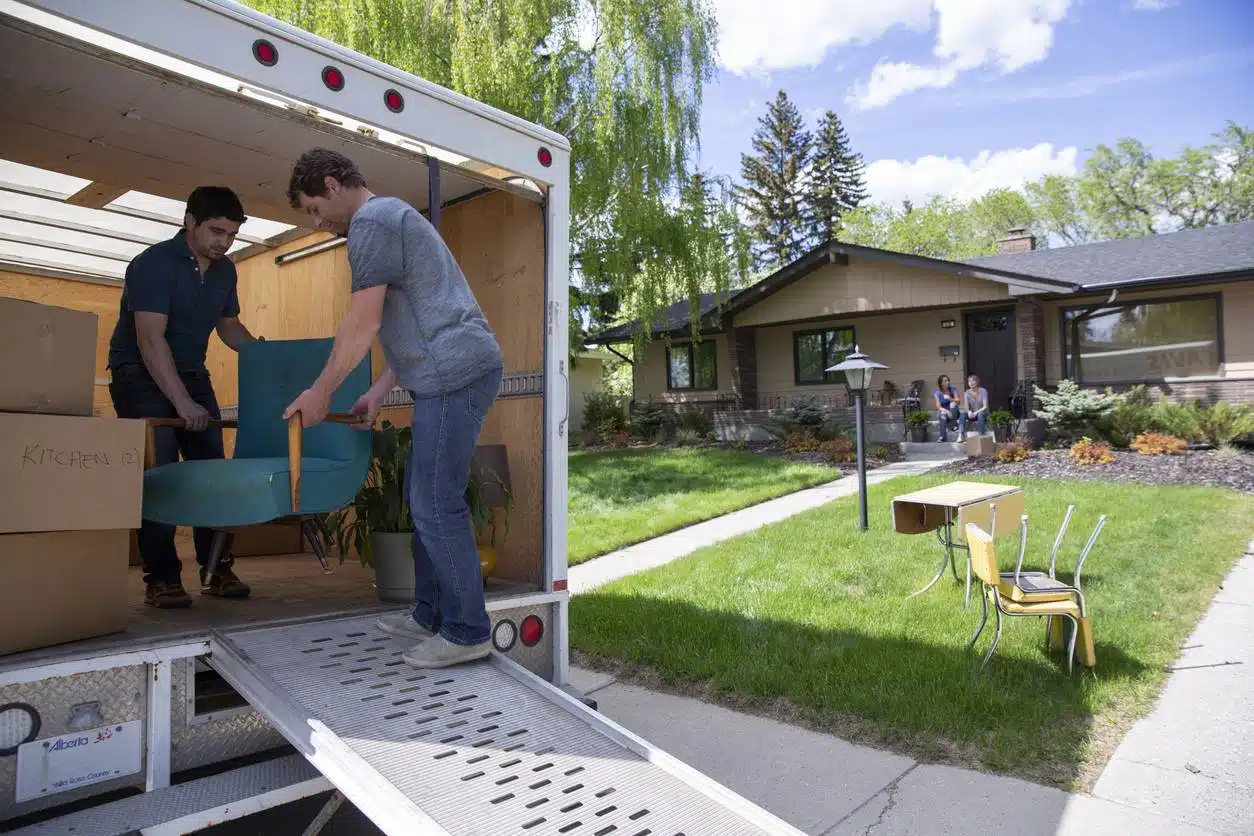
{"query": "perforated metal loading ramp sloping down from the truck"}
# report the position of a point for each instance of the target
(486, 749)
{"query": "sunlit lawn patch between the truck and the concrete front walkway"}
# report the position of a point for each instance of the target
(624, 497)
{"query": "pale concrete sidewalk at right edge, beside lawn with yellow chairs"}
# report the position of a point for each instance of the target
(1193, 758)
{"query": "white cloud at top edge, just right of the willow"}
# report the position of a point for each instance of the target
(757, 37)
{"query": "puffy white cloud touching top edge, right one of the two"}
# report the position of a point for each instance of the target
(971, 34)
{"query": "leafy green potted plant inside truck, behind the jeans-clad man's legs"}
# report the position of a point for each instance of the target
(378, 525)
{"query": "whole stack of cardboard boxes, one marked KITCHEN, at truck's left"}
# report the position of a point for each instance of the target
(71, 484)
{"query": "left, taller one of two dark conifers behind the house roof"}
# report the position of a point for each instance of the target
(774, 189)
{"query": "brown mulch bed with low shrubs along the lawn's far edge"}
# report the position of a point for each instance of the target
(1207, 468)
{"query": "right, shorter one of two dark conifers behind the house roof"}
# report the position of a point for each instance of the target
(837, 182)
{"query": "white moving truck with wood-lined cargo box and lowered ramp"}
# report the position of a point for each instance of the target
(180, 721)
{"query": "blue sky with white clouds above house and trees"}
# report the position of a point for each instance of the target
(959, 97)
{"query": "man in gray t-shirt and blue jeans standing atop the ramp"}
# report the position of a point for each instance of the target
(409, 291)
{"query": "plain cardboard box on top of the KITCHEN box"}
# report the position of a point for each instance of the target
(47, 359)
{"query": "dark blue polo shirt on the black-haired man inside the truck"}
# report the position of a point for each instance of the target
(166, 279)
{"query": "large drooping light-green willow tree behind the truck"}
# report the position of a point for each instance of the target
(623, 80)
